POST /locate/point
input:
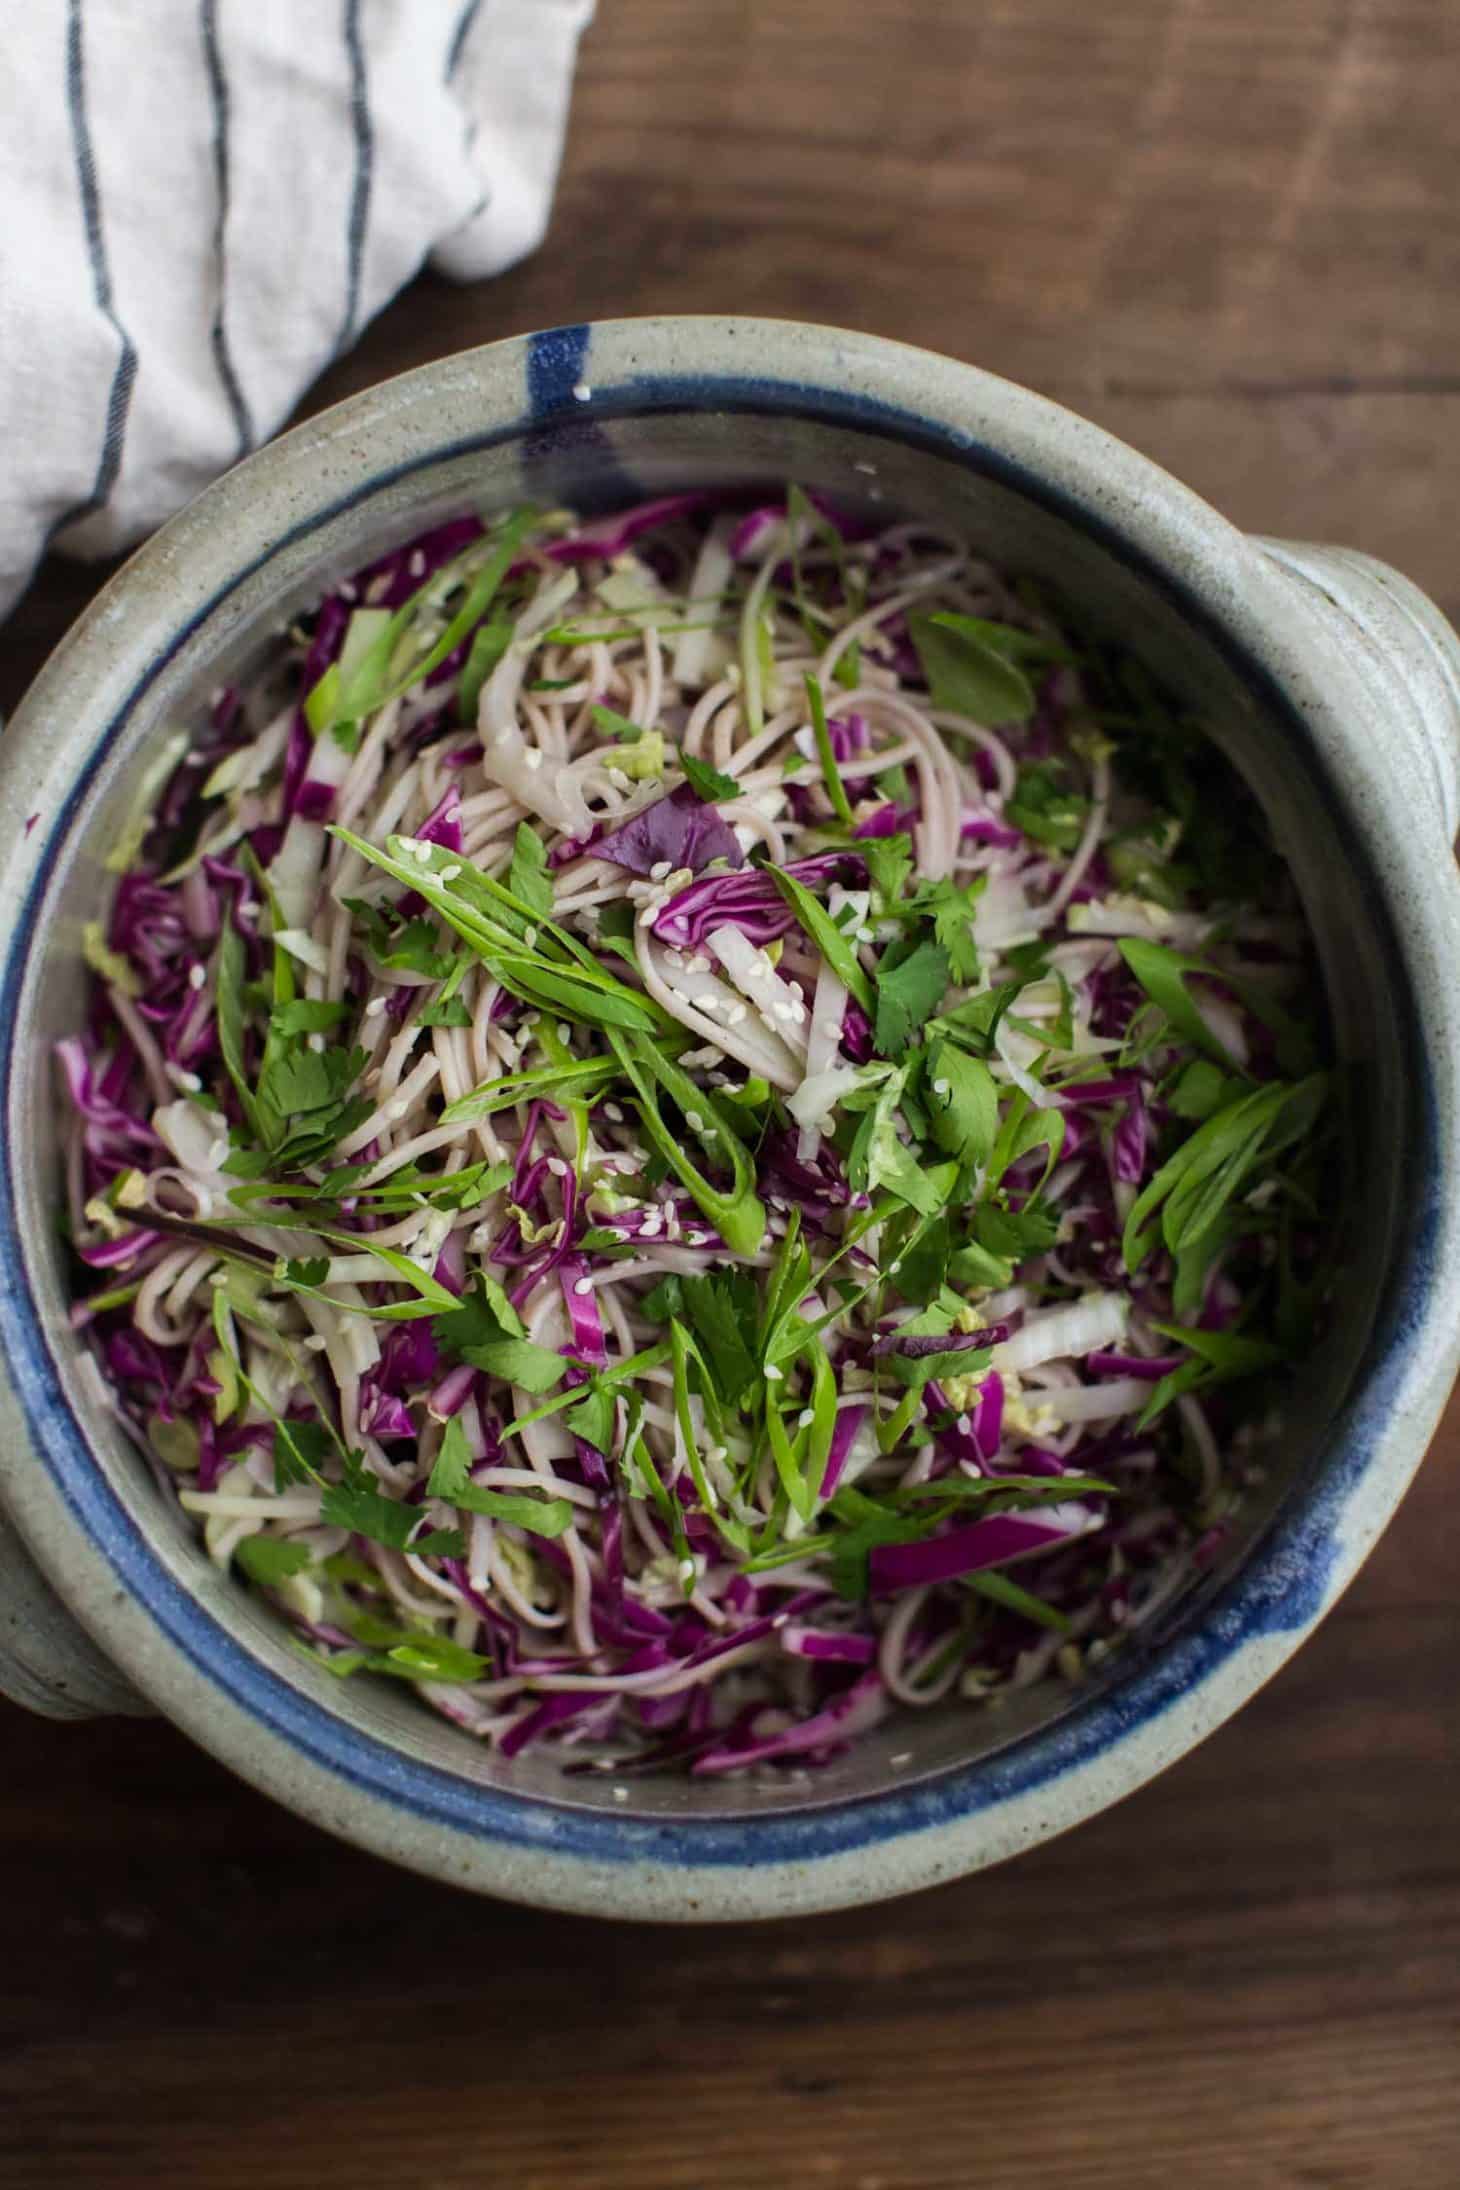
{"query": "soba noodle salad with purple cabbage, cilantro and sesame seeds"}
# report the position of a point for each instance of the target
(697, 1129)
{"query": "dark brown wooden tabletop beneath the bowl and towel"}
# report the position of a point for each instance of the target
(1227, 229)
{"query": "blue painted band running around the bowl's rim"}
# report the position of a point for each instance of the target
(1284, 1582)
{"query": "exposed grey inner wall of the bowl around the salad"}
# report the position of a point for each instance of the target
(588, 465)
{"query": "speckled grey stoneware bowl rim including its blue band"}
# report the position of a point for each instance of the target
(850, 1849)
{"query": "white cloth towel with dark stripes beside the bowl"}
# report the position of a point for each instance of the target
(202, 203)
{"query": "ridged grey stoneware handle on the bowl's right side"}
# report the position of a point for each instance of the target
(1411, 647)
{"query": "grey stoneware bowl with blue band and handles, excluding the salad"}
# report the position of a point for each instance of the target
(1332, 684)
